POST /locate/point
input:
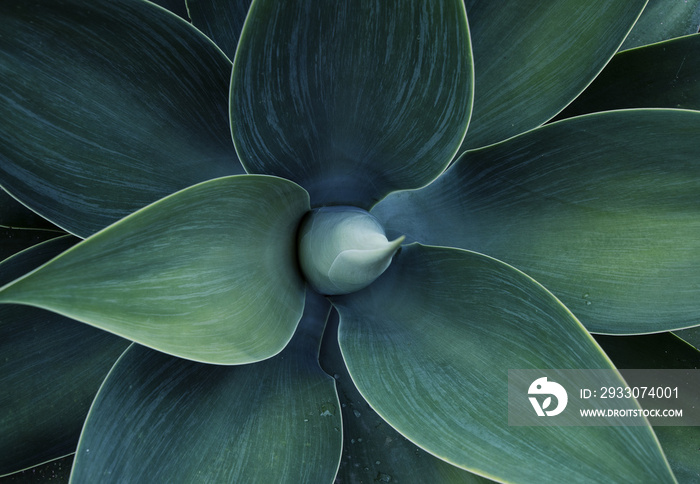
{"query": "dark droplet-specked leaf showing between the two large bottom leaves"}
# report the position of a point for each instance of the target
(372, 450)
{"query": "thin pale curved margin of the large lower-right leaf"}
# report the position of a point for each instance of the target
(476, 471)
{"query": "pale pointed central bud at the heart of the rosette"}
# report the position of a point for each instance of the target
(343, 249)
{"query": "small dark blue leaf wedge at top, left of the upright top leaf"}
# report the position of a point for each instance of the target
(221, 20)
